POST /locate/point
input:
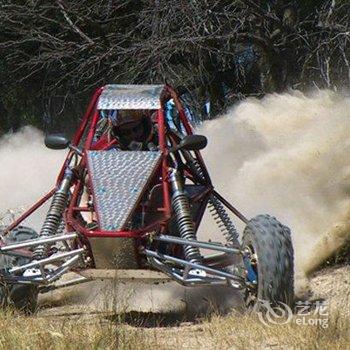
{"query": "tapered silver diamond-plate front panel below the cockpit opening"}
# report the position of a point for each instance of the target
(118, 179)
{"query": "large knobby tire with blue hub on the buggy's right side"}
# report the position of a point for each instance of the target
(269, 262)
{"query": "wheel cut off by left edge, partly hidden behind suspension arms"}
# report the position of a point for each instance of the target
(23, 297)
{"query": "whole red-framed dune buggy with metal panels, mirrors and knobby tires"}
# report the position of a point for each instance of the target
(136, 214)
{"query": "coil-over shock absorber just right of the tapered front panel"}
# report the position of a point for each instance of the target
(184, 220)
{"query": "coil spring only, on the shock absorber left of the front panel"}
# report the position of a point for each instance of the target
(52, 223)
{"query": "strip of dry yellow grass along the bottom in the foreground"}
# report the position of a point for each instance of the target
(233, 332)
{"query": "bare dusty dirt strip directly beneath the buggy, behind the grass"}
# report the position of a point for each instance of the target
(124, 297)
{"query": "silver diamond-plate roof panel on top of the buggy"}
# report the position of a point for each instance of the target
(130, 97)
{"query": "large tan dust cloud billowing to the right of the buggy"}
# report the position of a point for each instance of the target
(288, 155)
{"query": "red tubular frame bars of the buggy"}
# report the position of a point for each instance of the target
(92, 114)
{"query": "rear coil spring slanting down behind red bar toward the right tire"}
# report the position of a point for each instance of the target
(218, 211)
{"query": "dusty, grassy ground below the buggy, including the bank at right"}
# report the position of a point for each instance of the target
(80, 326)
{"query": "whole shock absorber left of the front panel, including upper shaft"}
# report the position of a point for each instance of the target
(53, 218)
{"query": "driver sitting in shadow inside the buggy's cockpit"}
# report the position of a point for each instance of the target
(134, 130)
